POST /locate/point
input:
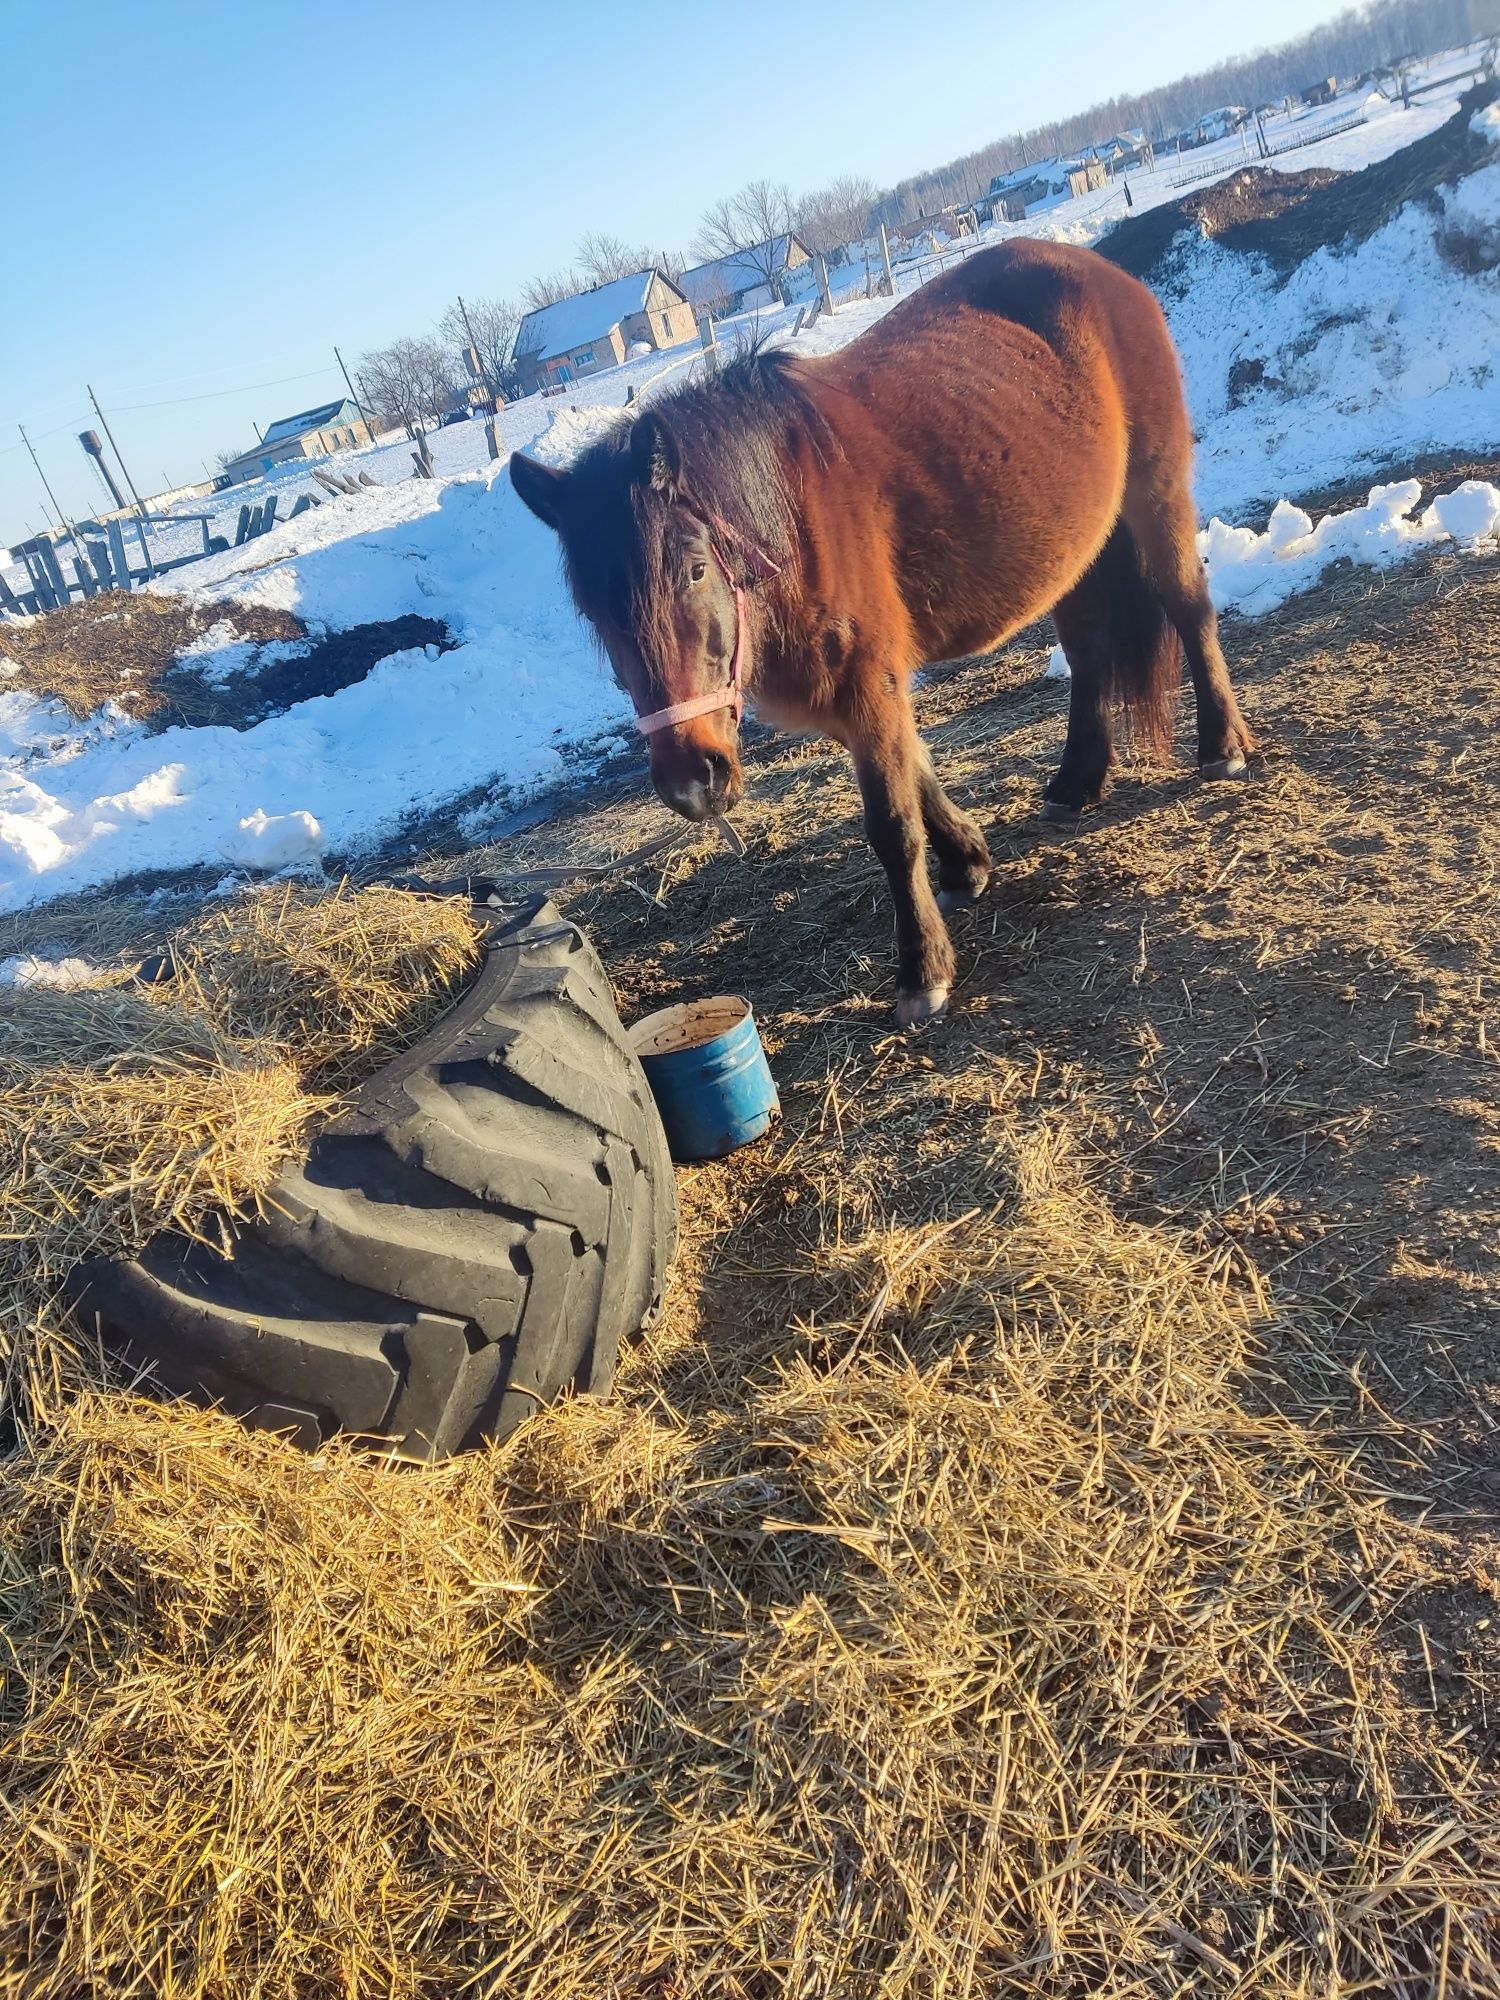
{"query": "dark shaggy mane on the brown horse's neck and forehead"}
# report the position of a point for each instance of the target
(733, 437)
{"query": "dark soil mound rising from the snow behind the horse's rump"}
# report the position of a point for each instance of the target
(1287, 217)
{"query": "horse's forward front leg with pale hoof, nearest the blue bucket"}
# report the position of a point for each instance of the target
(891, 769)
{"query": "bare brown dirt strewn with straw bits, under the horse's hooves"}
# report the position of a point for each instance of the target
(1269, 1011)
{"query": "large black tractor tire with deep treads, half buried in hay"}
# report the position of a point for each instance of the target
(471, 1239)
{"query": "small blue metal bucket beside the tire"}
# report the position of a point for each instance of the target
(709, 1075)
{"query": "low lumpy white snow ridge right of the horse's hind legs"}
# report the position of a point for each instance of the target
(1255, 573)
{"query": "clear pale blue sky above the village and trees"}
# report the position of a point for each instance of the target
(207, 195)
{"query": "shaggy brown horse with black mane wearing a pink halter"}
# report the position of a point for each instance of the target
(811, 533)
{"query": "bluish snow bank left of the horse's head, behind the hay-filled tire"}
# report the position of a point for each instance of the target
(507, 713)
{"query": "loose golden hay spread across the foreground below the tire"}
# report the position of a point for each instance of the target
(991, 1643)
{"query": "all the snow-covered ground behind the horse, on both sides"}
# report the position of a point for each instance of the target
(1367, 357)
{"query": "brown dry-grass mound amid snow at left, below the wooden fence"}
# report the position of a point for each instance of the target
(123, 647)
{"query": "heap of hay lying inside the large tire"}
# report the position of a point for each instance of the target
(129, 1109)
